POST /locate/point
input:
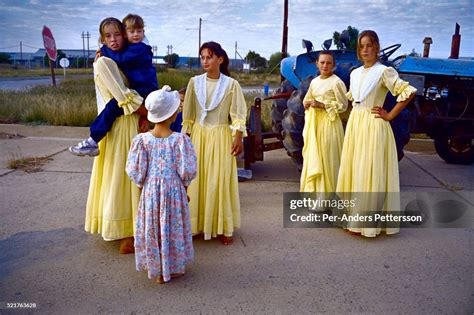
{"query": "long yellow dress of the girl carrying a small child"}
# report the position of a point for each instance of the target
(113, 199)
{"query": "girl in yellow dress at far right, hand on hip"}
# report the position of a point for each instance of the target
(369, 161)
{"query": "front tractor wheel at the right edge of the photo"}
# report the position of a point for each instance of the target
(457, 148)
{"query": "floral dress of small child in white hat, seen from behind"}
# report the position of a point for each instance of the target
(162, 167)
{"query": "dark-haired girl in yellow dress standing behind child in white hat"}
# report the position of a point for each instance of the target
(211, 99)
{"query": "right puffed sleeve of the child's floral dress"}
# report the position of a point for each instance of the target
(186, 160)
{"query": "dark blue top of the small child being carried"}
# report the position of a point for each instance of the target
(136, 62)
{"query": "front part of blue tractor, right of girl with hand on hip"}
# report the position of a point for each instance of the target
(443, 107)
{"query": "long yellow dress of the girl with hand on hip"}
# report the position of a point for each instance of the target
(369, 156)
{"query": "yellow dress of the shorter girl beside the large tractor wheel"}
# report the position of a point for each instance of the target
(323, 135)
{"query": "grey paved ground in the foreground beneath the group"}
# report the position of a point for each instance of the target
(46, 258)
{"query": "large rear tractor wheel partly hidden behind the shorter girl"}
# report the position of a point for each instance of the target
(293, 123)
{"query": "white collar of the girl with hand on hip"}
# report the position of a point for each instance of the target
(360, 92)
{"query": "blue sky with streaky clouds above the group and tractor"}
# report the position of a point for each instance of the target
(254, 24)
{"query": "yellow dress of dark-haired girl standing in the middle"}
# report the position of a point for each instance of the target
(214, 193)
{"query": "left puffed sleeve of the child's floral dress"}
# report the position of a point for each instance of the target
(137, 161)
